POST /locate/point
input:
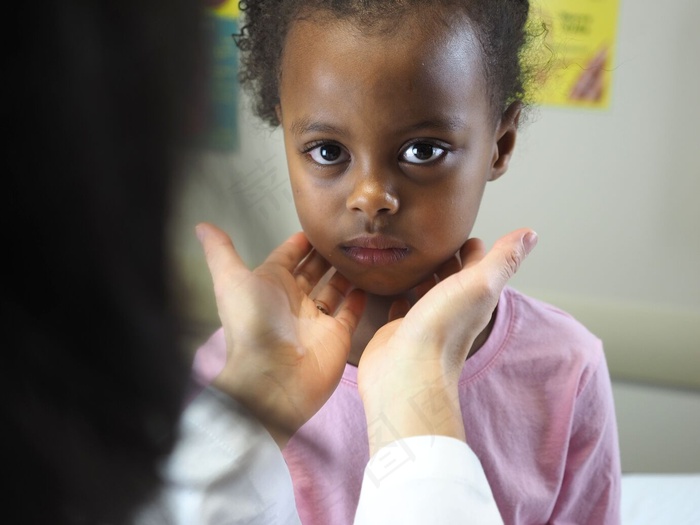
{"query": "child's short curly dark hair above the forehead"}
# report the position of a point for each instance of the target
(500, 25)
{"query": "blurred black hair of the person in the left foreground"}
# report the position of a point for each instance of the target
(99, 101)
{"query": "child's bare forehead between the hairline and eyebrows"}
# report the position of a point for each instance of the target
(407, 75)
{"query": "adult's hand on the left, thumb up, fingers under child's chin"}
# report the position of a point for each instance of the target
(284, 356)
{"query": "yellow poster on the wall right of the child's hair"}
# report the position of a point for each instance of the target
(579, 43)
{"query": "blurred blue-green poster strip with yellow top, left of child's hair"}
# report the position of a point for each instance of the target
(222, 114)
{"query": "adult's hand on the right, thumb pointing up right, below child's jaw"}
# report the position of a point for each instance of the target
(415, 361)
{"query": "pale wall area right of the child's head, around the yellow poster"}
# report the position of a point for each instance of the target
(614, 194)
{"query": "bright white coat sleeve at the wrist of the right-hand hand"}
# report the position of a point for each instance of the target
(426, 479)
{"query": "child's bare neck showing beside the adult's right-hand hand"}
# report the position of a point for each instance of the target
(376, 315)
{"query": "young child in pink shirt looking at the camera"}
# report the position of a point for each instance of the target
(396, 113)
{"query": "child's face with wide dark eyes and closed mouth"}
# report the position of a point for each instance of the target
(390, 141)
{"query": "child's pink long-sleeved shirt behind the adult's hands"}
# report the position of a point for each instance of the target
(538, 410)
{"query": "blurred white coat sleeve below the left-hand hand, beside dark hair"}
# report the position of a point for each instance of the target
(226, 469)
